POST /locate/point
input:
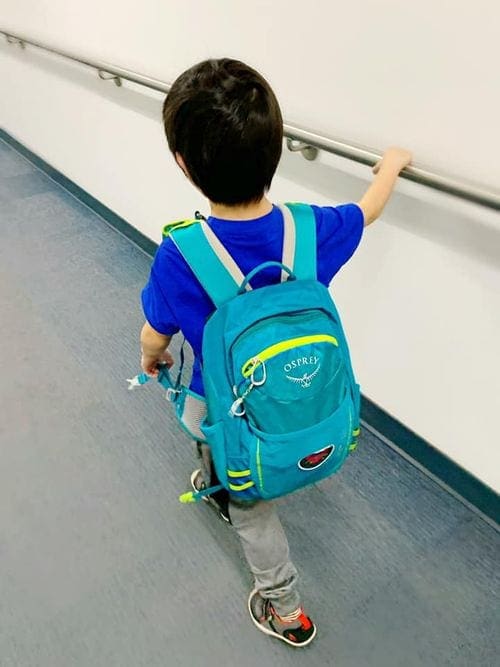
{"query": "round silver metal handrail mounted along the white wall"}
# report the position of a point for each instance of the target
(298, 139)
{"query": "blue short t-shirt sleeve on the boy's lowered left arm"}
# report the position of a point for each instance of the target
(154, 300)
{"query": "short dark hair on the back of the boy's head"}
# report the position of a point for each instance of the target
(223, 118)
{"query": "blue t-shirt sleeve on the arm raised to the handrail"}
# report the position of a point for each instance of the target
(339, 231)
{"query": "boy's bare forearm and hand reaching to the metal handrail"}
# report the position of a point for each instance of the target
(386, 173)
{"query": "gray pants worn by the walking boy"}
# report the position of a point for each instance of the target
(262, 536)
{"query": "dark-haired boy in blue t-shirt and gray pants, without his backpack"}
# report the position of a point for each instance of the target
(224, 127)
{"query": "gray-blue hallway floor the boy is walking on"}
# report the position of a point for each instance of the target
(100, 566)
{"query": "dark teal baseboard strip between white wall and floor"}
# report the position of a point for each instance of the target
(435, 462)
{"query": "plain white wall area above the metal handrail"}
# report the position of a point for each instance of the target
(373, 71)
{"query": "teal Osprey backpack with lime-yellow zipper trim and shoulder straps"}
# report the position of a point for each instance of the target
(282, 401)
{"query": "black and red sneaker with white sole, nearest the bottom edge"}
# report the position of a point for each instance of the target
(295, 629)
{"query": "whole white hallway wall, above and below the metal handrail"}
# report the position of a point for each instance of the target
(421, 299)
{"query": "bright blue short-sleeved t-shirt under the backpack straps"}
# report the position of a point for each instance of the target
(173, 299)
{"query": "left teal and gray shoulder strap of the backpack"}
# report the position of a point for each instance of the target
(208, 259)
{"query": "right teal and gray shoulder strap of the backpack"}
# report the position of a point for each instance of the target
(299, 240)
